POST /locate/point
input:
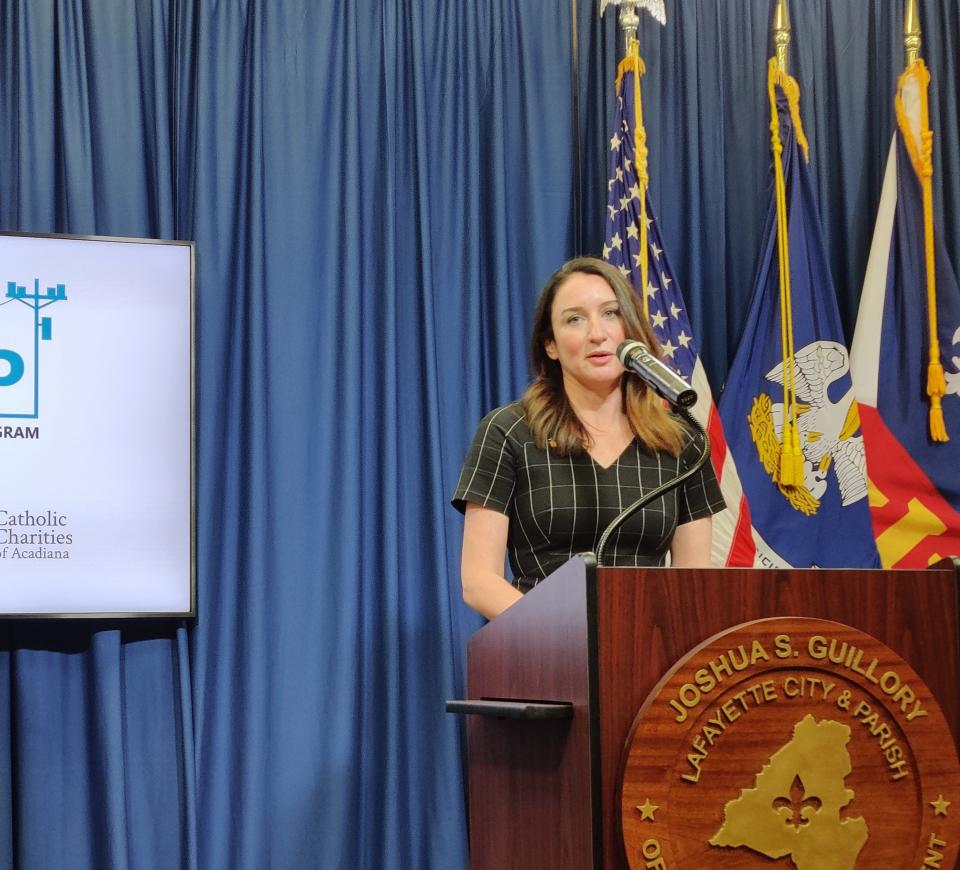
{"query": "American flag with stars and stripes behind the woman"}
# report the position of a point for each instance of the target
(732, 538)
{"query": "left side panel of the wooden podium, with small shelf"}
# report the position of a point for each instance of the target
(531, 801)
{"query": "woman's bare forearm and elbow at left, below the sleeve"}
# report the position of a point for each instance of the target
(485, 588)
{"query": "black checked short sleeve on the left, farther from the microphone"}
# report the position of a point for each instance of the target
(488, 476)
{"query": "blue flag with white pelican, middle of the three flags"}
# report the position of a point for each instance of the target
(788, 407)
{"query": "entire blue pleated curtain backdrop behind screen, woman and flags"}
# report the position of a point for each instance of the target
(377, 191)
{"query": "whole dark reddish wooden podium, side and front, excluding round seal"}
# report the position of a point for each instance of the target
(557, 680)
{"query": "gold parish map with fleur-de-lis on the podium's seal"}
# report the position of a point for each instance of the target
(794, 809)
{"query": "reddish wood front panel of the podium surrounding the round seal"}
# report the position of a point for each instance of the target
(647, 620)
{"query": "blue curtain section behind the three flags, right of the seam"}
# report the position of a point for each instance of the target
(707, 115)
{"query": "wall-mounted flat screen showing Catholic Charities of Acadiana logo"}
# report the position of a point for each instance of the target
(97, 513)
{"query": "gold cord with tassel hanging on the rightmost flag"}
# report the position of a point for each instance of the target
(921, 156)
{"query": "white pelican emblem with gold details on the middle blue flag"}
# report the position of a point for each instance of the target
(829, 428)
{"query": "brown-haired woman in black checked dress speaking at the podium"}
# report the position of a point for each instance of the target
(545, 475)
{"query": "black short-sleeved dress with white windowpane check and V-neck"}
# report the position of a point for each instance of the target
(560, 505)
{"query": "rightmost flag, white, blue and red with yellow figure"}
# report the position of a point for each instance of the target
(914, 473)
